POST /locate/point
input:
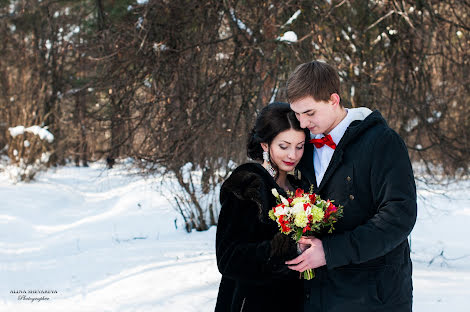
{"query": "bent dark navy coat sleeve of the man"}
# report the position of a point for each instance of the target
(394, 198)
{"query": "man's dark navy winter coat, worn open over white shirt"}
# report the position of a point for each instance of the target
(368, 257)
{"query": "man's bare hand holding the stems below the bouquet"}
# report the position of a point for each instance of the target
(312, 258)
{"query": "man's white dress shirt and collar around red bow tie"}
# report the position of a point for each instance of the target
(322, 156)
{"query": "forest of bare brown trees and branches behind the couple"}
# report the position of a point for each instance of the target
(176, 85)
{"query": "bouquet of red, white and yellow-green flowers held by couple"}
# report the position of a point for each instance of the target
(304, 214)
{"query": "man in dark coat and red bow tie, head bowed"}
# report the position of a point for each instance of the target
(359, 162)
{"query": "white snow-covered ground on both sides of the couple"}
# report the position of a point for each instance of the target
(91, 239)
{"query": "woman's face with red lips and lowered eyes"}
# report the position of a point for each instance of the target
(286, 149)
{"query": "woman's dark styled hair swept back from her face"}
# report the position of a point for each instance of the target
(272, 120)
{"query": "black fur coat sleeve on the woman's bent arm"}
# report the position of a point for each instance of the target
(240, 254)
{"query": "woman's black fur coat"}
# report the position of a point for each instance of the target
(253, 278)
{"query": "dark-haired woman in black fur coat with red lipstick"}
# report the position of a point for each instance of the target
(249, 247)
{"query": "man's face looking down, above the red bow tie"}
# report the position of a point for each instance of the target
(317, 116)
